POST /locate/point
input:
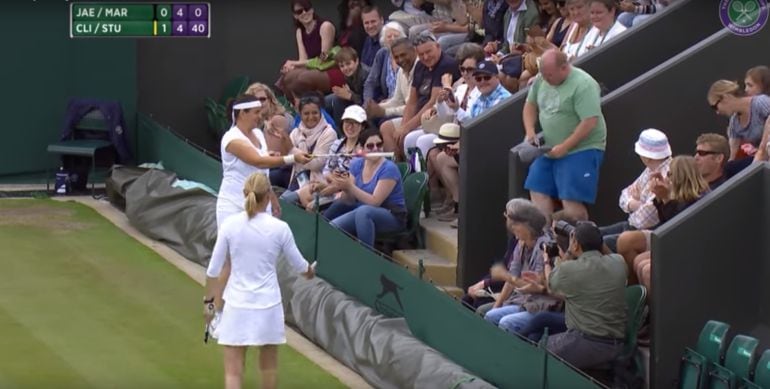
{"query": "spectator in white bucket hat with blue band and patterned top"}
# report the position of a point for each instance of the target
(637, 199)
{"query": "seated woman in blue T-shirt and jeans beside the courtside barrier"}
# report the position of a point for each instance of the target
(373, 197)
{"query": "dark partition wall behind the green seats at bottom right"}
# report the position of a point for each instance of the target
(710, 262)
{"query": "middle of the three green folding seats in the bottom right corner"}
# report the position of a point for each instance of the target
(739, 360)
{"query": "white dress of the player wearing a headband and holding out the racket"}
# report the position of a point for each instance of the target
(234, 173)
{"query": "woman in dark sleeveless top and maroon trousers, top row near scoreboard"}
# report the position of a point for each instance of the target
(315, 39)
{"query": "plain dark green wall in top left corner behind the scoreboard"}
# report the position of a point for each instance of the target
(42, 68)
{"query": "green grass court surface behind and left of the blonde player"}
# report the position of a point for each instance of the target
(83, 305)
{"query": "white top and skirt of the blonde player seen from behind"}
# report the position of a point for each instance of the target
(253, 315)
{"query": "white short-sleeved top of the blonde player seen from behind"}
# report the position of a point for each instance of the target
(254, 246)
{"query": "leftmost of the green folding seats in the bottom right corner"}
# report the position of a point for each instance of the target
(696, 364)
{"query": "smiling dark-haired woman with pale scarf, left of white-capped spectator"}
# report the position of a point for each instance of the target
(313, 136)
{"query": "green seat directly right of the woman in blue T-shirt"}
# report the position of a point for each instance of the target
(415, 187)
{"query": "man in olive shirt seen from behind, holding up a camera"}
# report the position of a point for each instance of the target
(593, 287)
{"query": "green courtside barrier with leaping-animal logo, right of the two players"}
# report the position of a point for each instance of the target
(432, 316)
